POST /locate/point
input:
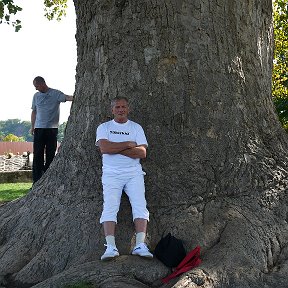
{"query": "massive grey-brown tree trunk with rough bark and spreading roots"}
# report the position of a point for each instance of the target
(198, 75)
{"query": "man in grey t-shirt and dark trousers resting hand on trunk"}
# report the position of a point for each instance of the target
(45, 120)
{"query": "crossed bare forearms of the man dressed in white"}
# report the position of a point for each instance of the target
(127, 148)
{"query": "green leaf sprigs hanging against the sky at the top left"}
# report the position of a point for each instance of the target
(54, 9)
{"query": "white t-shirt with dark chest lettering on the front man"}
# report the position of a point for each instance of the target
(121, 132)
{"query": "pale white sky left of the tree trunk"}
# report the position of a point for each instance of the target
(41, 48)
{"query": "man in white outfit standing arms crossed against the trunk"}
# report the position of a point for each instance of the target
(123, 143)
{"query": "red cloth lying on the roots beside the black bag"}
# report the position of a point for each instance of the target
(191, 260)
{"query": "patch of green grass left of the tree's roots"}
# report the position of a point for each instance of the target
(12, 191)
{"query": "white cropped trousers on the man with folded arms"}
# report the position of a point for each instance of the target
(112, 191)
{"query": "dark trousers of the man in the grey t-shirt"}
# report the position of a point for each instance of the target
(45, 141)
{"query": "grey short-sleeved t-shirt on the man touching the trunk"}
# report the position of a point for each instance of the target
(47, 107)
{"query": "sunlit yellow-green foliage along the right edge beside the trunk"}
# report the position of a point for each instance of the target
(280, 68)
